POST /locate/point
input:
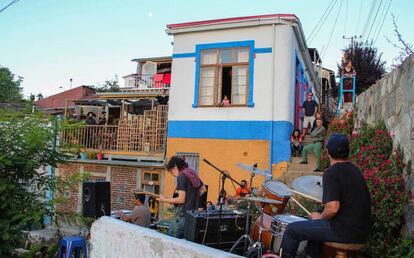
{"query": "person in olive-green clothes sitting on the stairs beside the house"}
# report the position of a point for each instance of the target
(318, 136)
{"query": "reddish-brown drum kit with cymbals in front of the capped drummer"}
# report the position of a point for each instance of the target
(271, 200)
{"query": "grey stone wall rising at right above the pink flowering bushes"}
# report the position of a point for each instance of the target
(392, 99)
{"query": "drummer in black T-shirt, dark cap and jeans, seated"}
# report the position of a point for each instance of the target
(346, 217)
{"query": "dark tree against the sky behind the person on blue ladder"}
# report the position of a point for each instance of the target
(367, 64)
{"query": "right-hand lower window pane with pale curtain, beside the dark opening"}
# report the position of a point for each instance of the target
(239, 85)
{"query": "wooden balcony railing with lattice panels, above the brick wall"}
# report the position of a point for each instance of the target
(139, 135)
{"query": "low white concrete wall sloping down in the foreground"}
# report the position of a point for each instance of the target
(111, 238)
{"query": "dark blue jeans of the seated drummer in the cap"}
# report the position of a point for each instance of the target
(315, 231)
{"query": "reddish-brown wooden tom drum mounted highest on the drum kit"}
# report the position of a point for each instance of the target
(277, 191)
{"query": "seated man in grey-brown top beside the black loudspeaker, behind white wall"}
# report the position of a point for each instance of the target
(141, 215)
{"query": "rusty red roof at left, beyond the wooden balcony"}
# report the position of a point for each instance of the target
(63, 99)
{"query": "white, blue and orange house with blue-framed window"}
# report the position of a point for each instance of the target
(263, 67)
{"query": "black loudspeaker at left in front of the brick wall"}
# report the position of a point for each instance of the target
(96, 199)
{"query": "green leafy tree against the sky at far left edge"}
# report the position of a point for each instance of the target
(10, 90)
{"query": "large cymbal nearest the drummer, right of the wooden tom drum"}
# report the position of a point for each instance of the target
(309, 185)
